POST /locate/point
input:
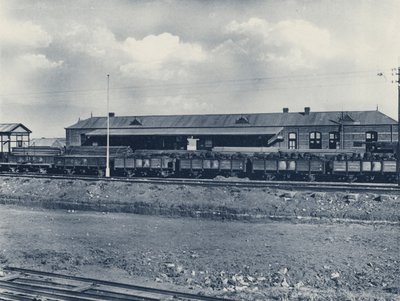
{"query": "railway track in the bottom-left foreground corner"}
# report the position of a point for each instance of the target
(25, 284)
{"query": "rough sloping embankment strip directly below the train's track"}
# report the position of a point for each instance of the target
(226, 203)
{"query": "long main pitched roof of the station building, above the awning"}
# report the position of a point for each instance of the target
(229, 120)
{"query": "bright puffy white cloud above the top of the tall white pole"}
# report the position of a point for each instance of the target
(158, 57)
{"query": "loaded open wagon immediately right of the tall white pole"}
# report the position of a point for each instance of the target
(138, 165)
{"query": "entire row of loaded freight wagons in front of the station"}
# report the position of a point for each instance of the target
(344, 166)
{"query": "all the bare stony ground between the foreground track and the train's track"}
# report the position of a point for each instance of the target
(289, 259)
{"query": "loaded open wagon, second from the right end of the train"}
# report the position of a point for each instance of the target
(287, 168)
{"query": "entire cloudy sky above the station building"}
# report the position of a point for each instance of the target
(193, 57)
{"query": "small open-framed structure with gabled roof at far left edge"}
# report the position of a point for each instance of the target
(13, 135)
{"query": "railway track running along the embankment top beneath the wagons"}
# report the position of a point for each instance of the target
(287, 185)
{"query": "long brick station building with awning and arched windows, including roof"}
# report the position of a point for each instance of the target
(257, 132)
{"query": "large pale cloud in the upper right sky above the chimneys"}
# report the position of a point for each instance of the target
(295, 43)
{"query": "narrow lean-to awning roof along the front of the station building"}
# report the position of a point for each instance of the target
(188, 131)
